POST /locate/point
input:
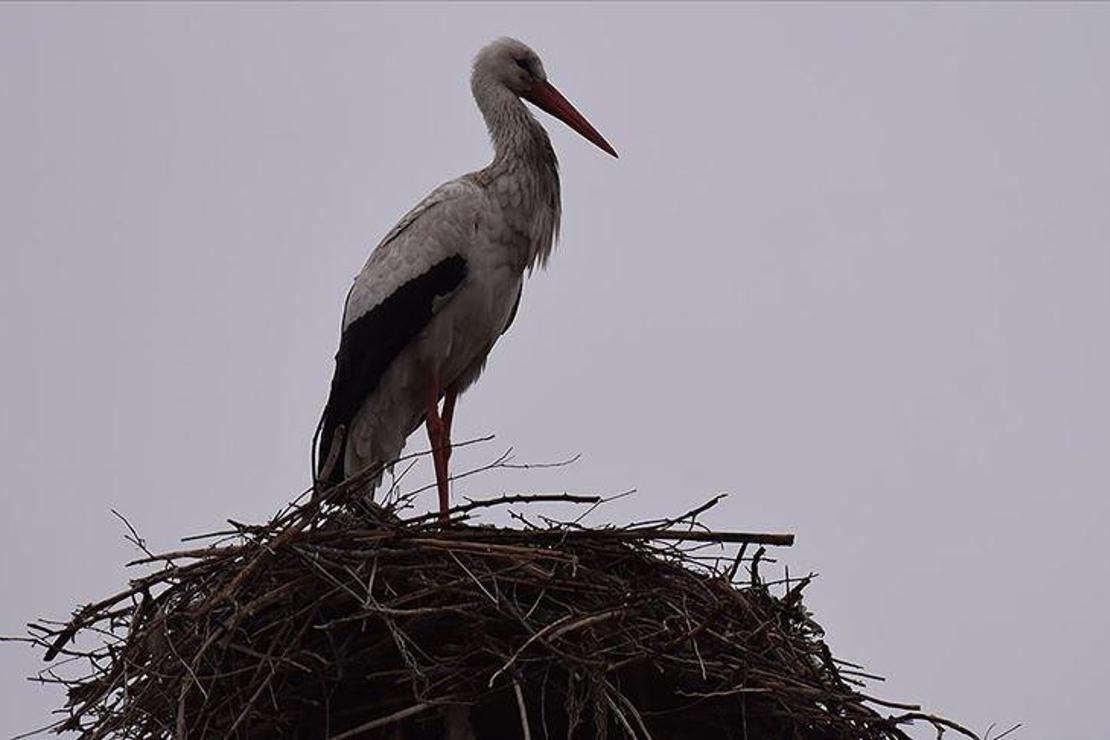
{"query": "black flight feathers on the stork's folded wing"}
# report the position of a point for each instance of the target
(371, 342)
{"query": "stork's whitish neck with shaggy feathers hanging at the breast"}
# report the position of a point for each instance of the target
(524, 174)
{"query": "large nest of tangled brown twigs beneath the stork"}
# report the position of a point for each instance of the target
(332, 622)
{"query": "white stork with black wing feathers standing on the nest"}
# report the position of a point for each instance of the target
(446, 282)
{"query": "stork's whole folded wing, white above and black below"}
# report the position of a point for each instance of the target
(408, 279)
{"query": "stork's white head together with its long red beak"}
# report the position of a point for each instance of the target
(513, 66)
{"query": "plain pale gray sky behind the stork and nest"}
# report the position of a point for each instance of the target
(853, 267)
